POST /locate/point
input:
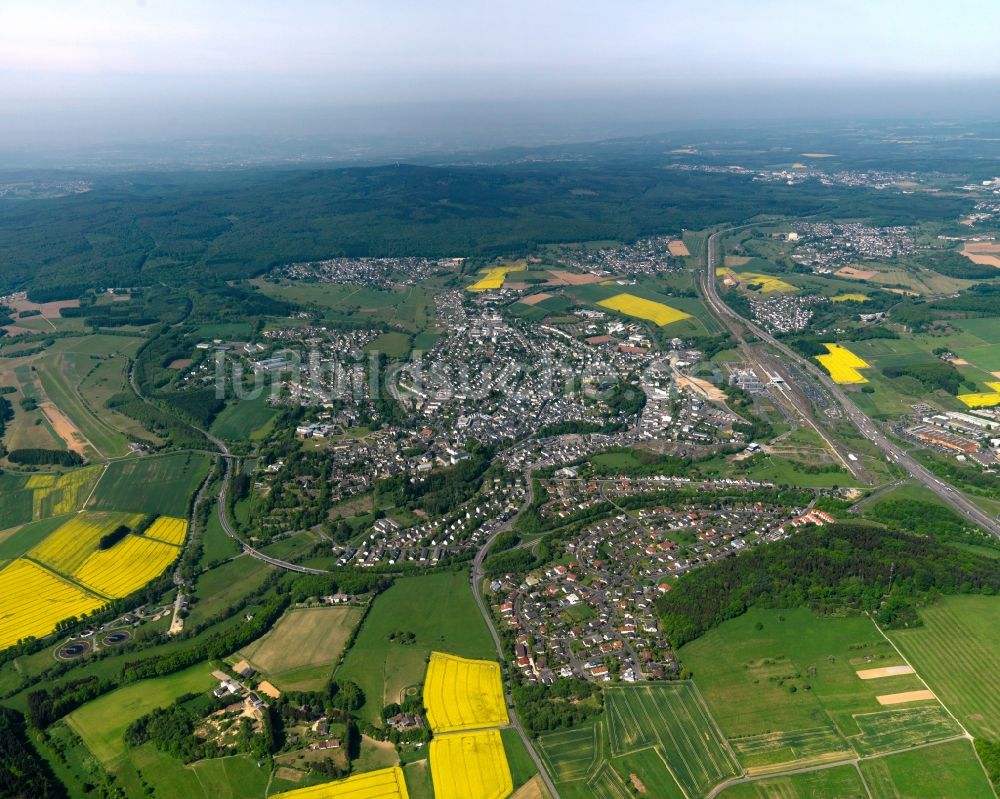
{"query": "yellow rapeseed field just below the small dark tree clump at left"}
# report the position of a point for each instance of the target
(127, 566)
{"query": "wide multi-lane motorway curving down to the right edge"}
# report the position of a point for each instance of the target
(895, 454)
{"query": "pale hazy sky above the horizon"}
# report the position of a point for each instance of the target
(101, 72)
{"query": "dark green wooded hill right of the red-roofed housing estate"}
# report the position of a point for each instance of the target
(830, 568)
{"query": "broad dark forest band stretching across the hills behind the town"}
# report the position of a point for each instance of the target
(197, 228)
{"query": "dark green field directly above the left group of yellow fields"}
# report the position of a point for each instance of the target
(162, 484)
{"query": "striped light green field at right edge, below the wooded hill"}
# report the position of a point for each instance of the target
(959, 638)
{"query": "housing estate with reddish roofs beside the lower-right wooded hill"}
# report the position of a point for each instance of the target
(591, 614)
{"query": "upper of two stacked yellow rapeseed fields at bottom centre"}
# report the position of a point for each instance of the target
(462, 694)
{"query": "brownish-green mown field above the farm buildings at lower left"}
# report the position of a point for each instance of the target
(299, 652)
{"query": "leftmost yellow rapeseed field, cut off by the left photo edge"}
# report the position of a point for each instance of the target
(33, 601)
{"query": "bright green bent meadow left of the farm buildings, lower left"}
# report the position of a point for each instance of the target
(101, 723)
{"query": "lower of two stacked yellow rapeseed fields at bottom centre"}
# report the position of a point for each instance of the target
(470, 764)
